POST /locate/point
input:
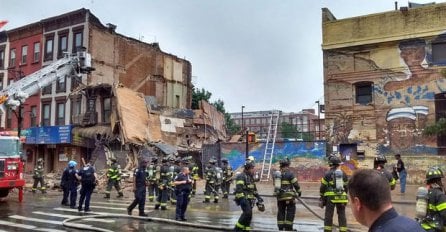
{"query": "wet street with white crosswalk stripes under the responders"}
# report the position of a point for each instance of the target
(44, 213)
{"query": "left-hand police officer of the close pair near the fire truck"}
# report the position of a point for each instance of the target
(69, 184)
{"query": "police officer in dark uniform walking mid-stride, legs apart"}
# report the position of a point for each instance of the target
(139, 188)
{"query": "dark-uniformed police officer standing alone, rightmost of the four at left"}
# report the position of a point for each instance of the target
(183, 187)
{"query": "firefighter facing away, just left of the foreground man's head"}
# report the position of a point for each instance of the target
(334, 194)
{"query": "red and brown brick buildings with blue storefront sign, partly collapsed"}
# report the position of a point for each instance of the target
(63, 121)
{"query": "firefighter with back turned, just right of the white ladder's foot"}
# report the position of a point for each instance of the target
(287, 189)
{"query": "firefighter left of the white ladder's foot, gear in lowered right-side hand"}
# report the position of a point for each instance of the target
(245, 196)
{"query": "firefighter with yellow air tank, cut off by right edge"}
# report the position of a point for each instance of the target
(435, 208)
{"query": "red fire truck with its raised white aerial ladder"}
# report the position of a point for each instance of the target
(11, 156)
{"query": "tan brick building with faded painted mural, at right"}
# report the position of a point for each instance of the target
(384, 83)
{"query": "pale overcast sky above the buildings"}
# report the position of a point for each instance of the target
(263, 54)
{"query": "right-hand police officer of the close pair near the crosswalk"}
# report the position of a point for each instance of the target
(88, 178)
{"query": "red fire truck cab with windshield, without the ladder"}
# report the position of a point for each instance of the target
(11, 165)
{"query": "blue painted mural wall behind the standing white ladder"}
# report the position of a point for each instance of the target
(307, 158)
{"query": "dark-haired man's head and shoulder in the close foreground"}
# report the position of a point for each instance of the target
(371, 203)
